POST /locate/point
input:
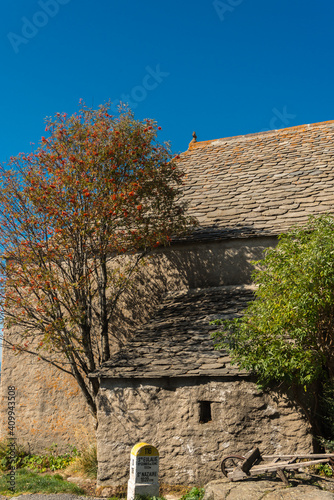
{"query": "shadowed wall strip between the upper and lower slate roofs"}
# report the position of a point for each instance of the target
(185, 266)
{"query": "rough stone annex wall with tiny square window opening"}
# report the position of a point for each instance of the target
(167, 412)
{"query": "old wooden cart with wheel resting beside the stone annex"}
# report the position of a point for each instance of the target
(236, 467)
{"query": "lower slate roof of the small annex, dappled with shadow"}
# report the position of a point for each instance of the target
(177, 342)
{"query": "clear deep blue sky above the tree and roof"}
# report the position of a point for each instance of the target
(221, 68)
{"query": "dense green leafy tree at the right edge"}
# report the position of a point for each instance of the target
(286, 335)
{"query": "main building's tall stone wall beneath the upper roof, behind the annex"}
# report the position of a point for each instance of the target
(51, 408)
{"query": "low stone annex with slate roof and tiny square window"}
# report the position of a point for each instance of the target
(169, 387)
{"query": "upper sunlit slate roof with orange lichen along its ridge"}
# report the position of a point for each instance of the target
(260, 184)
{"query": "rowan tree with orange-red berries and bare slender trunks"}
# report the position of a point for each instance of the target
(77, 217)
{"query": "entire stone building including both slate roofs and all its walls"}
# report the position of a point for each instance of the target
(168, 386)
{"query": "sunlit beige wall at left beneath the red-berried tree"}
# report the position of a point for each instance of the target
(50, 408)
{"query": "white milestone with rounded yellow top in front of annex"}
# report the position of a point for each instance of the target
(144, 471)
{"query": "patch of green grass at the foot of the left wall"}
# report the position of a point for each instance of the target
(31, 482)
